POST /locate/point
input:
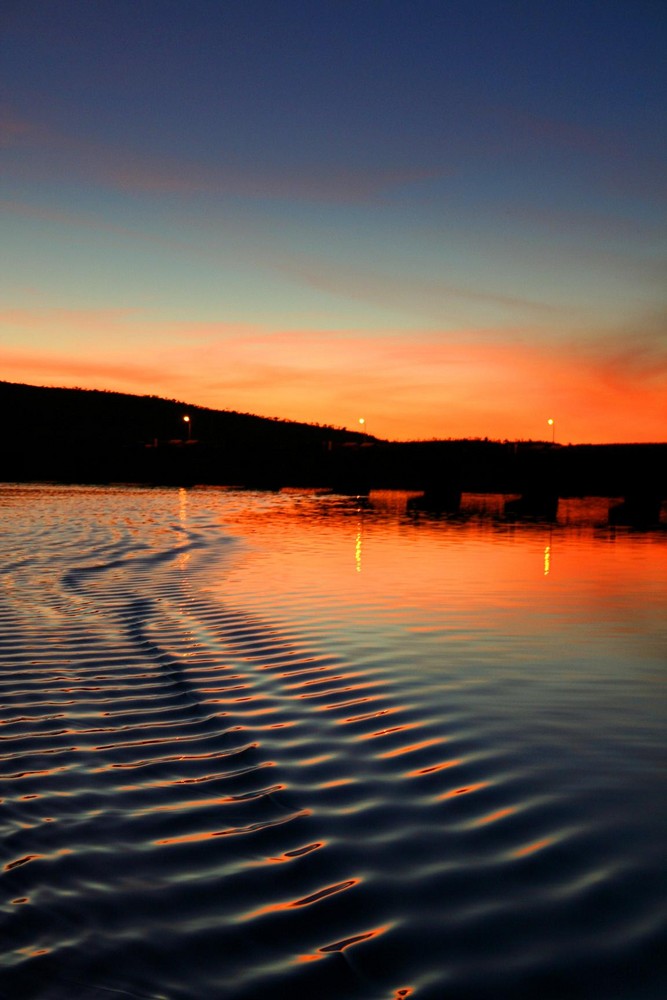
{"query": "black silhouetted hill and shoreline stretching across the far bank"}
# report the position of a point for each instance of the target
(82, 435)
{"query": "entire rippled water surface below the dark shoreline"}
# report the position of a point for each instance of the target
(272, 745)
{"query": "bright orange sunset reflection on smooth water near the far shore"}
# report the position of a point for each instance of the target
(482, 566)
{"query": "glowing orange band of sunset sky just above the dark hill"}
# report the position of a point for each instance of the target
(414, 384)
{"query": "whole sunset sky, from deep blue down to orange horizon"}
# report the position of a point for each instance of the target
(446, 217)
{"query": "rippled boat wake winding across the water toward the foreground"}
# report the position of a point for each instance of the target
(199, 802)
